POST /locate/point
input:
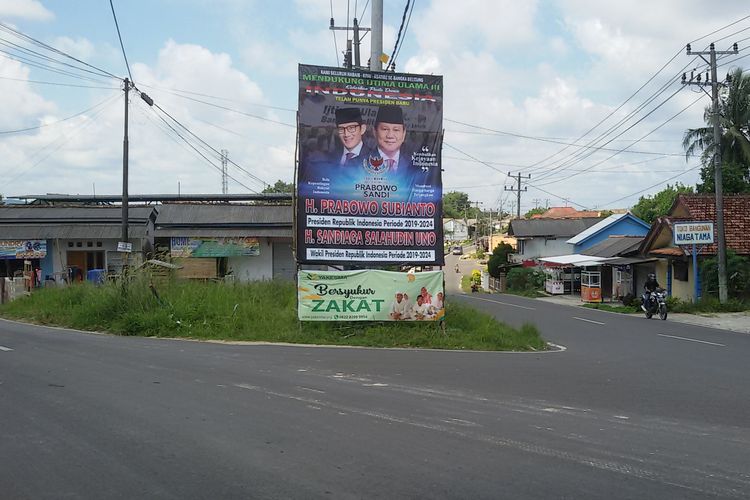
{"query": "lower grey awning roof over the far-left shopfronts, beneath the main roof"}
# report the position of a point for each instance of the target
(69, 231)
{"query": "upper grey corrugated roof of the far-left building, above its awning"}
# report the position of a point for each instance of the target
(29, 214)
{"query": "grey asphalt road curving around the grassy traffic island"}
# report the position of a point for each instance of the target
(631, 409)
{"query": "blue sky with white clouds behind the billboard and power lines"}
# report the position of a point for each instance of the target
(584, 96)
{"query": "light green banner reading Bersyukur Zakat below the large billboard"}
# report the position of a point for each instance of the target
(370, 295)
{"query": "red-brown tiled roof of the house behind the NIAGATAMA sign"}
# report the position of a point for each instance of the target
(703, 208)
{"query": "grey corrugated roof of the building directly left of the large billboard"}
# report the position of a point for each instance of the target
(218, 215)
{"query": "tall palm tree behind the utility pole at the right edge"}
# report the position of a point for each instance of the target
(734, 124)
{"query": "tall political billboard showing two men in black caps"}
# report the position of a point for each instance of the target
(369, 177)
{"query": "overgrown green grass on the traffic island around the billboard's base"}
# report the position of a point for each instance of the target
(263, 311)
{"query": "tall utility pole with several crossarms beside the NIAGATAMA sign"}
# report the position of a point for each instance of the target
(714, 83)
